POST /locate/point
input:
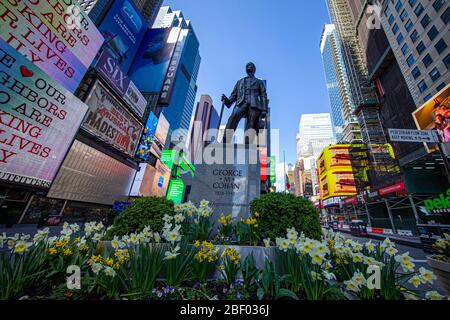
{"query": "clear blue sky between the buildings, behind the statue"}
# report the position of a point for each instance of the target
(281, 38)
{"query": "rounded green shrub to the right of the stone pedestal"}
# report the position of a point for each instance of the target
(279, 211)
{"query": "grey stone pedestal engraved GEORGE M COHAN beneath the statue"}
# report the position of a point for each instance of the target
(229, 178)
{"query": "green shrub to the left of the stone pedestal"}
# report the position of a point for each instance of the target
(143, 212)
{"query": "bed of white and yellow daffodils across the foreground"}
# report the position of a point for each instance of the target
(183, 261)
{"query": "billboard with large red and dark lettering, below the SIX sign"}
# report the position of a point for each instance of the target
(109, 120)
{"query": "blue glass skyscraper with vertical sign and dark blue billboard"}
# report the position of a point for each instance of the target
(166, 68)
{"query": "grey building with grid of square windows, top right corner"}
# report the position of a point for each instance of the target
(418, 32)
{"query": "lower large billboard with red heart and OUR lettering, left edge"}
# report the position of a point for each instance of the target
(38, 121)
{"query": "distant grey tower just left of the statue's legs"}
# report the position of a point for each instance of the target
(206, 118)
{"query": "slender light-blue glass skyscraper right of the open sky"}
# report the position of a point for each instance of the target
(342, 107)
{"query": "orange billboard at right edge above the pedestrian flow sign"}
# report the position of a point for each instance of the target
(435, 114)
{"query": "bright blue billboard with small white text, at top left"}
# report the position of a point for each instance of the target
(123, 29)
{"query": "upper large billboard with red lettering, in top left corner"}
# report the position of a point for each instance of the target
(57, 36)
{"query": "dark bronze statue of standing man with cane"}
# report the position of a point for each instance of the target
(250, 97)
